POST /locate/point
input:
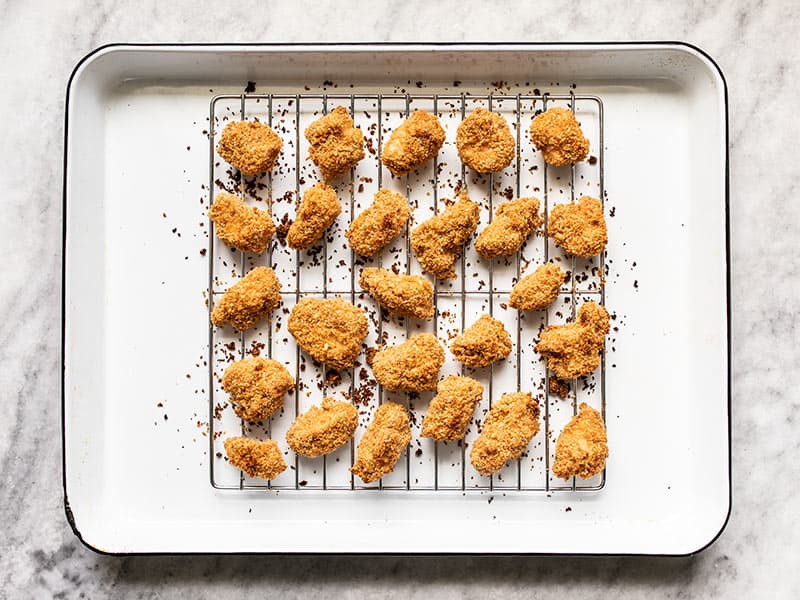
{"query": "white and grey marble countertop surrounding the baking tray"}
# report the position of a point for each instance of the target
(39, 555)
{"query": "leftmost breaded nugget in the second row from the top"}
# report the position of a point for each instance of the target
(240, 226)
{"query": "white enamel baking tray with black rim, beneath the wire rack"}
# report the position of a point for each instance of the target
(136, 343)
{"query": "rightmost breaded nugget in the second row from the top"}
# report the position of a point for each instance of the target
(579, 228)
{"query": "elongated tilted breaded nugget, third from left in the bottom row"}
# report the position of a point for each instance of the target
(383, 442)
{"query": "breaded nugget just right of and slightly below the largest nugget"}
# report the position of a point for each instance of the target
(413, 366)
